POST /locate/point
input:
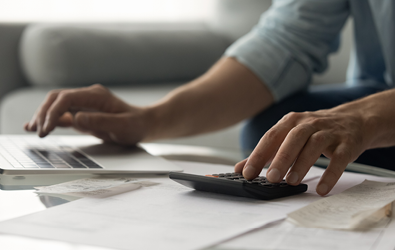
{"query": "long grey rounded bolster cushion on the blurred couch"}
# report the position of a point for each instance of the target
(71, 54)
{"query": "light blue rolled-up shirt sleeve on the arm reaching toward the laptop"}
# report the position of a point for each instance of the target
(291, 42)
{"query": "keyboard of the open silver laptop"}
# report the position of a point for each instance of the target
(22, 154)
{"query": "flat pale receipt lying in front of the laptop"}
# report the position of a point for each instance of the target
(93, 187)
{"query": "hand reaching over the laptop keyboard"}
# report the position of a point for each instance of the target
(93, 110)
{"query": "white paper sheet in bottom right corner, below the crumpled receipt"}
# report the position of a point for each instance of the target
(285, 235)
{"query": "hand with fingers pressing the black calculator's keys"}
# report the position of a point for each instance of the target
(295, 143)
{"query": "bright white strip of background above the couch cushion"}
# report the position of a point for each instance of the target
(105, 10)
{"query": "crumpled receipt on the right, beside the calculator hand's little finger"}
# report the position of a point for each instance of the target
(361, 206)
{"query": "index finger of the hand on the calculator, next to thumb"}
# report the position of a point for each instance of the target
(266, 148)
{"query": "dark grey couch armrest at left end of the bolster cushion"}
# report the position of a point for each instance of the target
(11, 76)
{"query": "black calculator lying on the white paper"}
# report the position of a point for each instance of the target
(235, 184)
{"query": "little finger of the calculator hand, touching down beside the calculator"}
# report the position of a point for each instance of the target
(339, 161)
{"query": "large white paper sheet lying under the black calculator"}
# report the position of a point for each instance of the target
(164, 216)
